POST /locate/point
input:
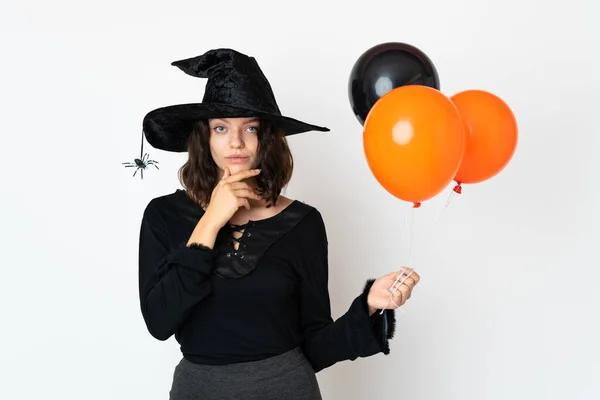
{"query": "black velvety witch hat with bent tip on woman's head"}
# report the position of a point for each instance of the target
(236, 87)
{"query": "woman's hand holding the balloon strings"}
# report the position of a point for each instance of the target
(379, 295)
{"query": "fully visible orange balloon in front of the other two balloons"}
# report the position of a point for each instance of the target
(414, 140)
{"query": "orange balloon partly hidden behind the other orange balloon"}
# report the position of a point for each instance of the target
(491, 138)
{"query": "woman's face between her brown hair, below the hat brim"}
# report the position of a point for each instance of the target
(234, 143)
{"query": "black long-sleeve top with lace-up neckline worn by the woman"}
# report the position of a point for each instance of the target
(265, 298)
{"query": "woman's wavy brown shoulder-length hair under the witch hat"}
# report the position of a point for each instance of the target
(199, 174)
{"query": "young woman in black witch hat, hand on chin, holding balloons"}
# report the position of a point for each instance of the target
(235, 271)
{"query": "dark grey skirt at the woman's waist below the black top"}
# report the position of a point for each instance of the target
(287, 376)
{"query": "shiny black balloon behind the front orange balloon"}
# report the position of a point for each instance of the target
(385, 67)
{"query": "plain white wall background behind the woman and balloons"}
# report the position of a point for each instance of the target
(507, 307)
